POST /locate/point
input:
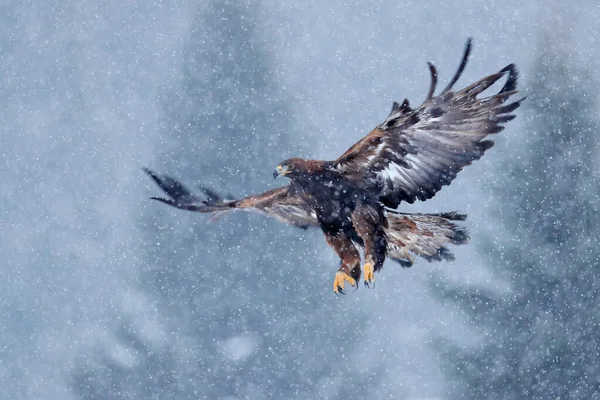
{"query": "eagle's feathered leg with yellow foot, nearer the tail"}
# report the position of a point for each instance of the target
(370, 223)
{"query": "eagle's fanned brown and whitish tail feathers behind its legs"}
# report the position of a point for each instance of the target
(425, 235)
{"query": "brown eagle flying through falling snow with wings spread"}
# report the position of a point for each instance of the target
(410, 156)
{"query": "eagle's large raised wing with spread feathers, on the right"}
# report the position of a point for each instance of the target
(415, 152)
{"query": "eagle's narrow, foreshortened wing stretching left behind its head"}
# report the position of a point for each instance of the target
(281, 203)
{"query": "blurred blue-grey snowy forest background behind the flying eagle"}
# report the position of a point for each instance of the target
(107, 295)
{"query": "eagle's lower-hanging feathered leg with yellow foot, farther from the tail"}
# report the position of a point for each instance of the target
(350, 261)
